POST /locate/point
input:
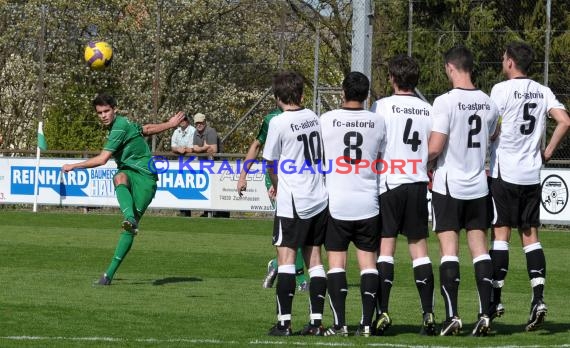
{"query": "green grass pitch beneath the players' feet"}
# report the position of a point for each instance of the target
(197, 282)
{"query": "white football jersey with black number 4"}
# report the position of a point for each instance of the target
(408, 126)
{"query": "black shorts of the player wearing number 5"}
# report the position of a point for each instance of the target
(516, 205)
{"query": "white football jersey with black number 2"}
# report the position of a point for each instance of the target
(468, 117)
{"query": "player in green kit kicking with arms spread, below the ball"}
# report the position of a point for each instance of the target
(135, 183)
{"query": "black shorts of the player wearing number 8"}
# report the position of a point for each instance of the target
(365, 234)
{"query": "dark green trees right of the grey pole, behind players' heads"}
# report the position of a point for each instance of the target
(485, 27)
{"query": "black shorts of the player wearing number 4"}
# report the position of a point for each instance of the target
(404, 210)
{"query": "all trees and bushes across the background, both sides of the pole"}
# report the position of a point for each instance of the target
(218, 57)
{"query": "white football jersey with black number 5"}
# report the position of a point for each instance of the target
(523, 105)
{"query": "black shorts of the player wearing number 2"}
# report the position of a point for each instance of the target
(452, 214)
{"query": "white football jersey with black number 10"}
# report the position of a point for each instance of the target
(294, 140)
